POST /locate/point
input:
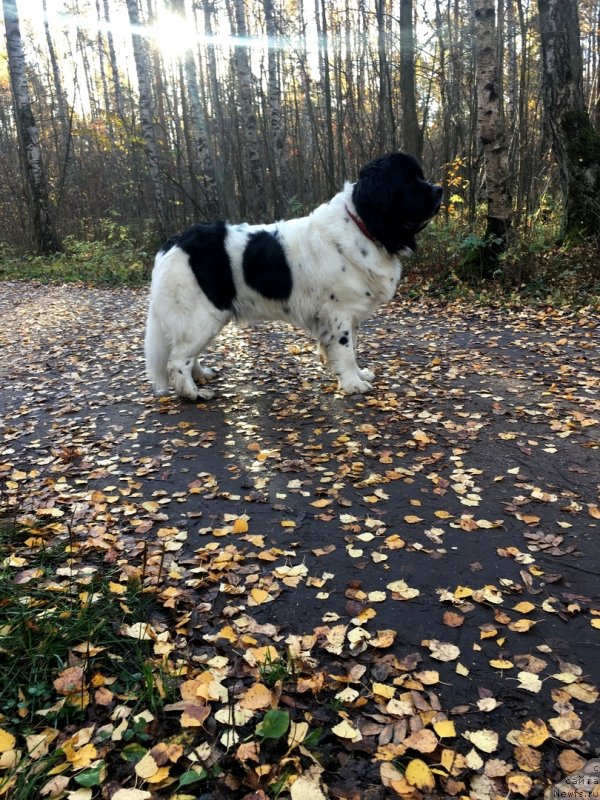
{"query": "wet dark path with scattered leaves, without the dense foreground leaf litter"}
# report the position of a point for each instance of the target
(471, 474)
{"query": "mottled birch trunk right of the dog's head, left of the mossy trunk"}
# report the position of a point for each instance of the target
(490, 125)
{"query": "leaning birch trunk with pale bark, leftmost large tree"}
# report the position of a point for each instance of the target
(44, 224)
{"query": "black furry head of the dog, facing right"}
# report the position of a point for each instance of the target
(394, 200)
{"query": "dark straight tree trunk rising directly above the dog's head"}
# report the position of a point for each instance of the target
(412, 137)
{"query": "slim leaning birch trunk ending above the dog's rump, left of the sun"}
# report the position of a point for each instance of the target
(146, 116)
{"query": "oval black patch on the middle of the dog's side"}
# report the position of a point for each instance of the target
(266, 268)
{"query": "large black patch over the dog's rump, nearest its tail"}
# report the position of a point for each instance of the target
(205, 247)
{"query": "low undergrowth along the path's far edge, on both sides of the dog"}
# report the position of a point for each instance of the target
(535, 269)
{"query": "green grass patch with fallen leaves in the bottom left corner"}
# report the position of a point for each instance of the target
(50, 626)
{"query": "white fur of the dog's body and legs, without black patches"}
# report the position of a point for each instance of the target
(182, 321)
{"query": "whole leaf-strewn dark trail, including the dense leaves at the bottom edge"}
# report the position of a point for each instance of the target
(422, 562)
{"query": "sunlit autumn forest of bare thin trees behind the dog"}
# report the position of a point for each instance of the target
(122, 121)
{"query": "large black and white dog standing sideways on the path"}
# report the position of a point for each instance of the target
(325, 273)
